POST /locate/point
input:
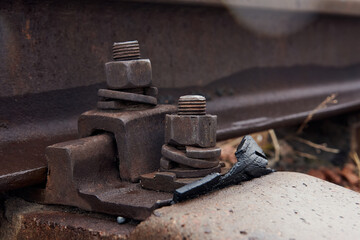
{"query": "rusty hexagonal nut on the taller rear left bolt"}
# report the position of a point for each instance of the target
(128, 74)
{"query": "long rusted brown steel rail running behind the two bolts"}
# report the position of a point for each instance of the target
(254, 81)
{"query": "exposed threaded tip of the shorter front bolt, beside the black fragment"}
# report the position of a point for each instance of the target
(192, 105)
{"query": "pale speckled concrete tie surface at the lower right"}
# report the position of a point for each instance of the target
(282, 205)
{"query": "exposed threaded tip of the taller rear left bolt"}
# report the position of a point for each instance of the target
(126, 50)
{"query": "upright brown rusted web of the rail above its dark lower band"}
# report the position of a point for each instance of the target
(233, 49)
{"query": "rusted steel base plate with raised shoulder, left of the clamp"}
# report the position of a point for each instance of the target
(84, 173)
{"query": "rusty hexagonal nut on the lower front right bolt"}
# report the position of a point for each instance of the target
(192, 130)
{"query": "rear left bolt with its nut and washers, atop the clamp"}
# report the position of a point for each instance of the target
(128, 78)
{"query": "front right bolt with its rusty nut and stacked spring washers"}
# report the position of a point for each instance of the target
(190, 137)
